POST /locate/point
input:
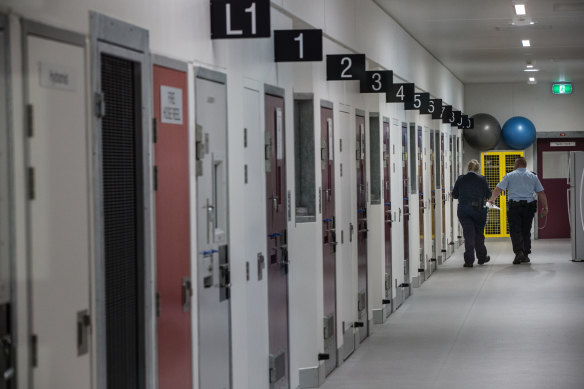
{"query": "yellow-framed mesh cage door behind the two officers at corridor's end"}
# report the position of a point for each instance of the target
(495, 165)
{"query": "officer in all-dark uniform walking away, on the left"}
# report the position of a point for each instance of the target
(472, 192)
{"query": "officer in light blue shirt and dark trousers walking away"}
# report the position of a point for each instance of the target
(521, 185)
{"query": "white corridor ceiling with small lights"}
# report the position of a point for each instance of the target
(477, 41)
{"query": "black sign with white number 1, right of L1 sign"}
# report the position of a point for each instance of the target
(297, 45)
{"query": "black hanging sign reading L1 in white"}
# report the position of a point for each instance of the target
(240, 19)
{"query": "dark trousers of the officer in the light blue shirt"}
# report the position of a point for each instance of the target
(520, 218)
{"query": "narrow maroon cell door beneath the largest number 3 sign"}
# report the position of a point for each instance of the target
(361, 229)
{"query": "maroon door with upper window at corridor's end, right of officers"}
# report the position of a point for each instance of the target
(552, 169)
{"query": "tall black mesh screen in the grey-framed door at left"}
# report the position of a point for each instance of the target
(122, 222)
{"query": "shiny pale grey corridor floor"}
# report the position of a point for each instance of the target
(493, 326)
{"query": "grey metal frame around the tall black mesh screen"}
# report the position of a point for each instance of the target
(115, 37)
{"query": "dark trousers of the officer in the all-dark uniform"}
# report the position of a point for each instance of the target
(473, 222)
